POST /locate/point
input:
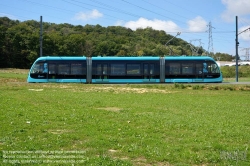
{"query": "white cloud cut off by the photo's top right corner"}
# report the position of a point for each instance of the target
(235, 8)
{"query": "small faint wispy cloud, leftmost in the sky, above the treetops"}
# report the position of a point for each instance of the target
(84, 16)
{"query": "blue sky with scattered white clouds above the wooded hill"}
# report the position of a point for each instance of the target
(192, 18)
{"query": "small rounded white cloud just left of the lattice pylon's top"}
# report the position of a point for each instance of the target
(197, 24)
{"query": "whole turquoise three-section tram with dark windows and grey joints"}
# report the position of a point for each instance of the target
(125, 69)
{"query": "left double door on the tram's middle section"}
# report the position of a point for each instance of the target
(102, 72)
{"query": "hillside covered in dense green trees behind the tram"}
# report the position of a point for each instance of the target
(19, 42)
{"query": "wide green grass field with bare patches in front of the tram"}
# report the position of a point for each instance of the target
(83, 124)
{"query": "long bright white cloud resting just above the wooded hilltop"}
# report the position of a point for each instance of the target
(167, 26)
